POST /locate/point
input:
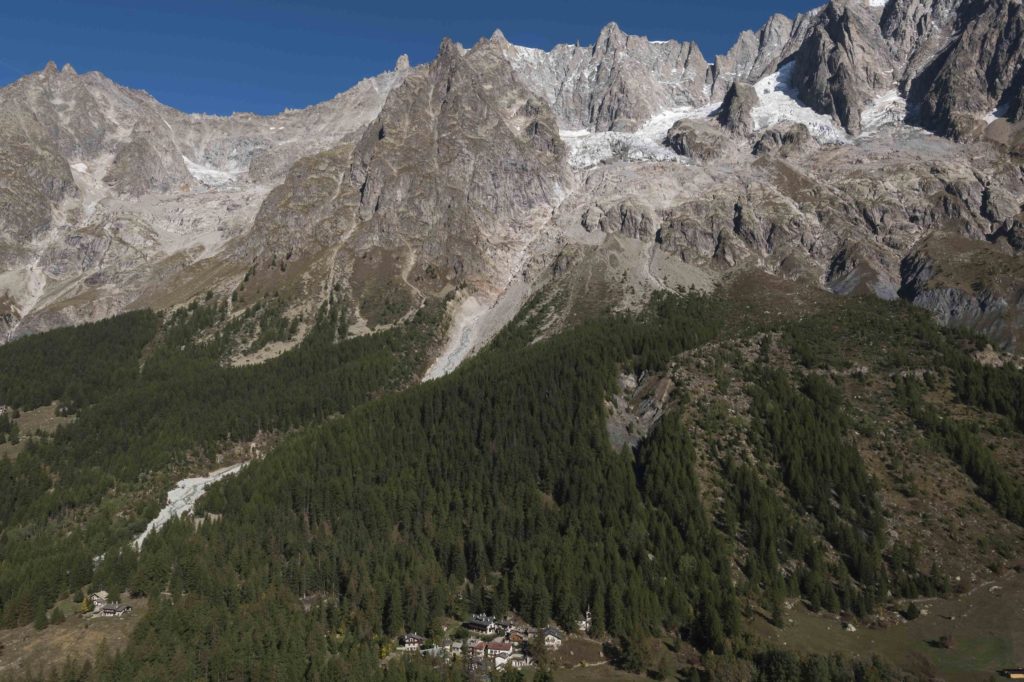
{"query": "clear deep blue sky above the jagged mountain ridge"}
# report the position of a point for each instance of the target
(221, 57)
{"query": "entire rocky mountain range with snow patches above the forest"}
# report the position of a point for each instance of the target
(833, 148)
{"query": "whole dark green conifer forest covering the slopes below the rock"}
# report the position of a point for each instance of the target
(496, 489)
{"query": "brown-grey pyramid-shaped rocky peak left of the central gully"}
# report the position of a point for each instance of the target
(451, 177)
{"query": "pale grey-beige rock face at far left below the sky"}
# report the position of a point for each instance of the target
(110, 199)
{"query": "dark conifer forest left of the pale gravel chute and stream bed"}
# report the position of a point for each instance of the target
(136, 417)
